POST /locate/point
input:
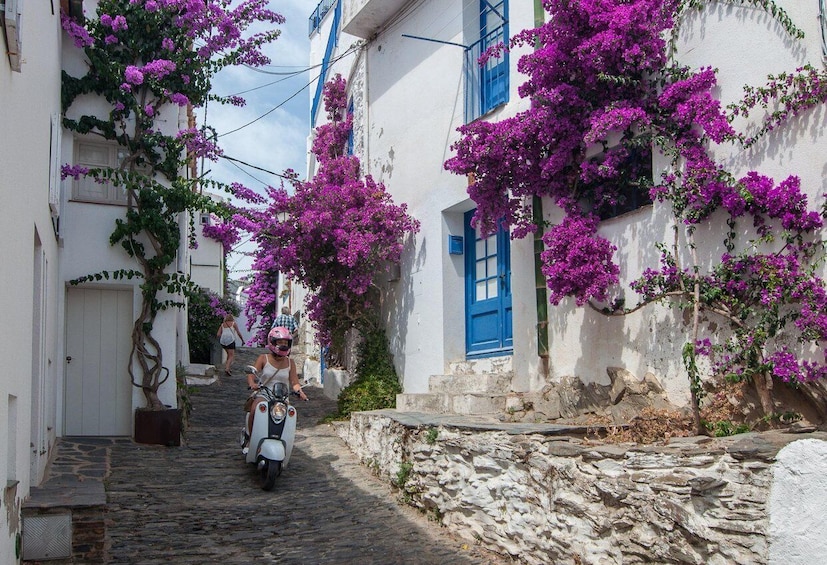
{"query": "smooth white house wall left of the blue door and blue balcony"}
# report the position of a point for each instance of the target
(409, 98)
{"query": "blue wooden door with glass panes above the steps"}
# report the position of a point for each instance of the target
(488, 327)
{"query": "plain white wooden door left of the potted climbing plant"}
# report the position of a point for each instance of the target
(98, 340)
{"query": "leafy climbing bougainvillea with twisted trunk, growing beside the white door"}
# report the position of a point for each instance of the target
(148, 60)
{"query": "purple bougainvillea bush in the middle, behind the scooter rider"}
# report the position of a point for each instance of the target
(333, 234)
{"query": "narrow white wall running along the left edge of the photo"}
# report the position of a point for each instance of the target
(29, 334)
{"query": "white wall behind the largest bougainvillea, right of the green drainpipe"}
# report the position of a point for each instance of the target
(745, 45)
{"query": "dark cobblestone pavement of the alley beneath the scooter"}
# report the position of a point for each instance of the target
(201, 503)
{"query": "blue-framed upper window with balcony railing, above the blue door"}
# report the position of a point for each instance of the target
(486, 87)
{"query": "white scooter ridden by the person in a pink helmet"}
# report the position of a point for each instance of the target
(270, 442)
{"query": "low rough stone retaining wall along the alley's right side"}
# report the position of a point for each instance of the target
(557, 499)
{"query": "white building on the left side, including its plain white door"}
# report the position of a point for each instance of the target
(65, 347)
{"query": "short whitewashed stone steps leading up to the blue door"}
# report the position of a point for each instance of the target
(477, 387)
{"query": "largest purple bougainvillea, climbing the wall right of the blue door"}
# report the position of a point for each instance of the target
(604, 91)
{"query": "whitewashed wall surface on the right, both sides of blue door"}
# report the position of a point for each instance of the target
(411, 94)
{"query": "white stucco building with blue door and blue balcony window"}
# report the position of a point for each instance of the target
(466, 307)
